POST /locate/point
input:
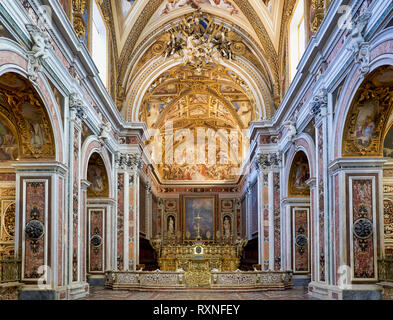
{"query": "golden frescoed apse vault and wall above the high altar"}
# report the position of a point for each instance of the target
(214, 104)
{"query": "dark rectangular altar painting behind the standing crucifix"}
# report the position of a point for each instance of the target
(199, 213)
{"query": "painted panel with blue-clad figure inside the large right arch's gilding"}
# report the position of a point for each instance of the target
(365, 123)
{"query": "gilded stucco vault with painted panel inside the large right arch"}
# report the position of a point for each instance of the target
(369, 114)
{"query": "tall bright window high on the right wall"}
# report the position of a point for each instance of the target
(297, 37)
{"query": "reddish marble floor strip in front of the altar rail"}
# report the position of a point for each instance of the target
(297, 293)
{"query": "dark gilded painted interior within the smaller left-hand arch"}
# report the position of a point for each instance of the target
(96, 175)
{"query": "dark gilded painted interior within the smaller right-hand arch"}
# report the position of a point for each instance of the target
(298, 176)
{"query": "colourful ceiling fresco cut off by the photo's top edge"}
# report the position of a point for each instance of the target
(171, 5)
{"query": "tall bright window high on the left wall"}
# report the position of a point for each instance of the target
(99, 43)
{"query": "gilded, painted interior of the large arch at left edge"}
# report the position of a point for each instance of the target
(24, 121)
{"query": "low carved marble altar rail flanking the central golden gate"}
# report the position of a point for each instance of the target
(238, 280)
